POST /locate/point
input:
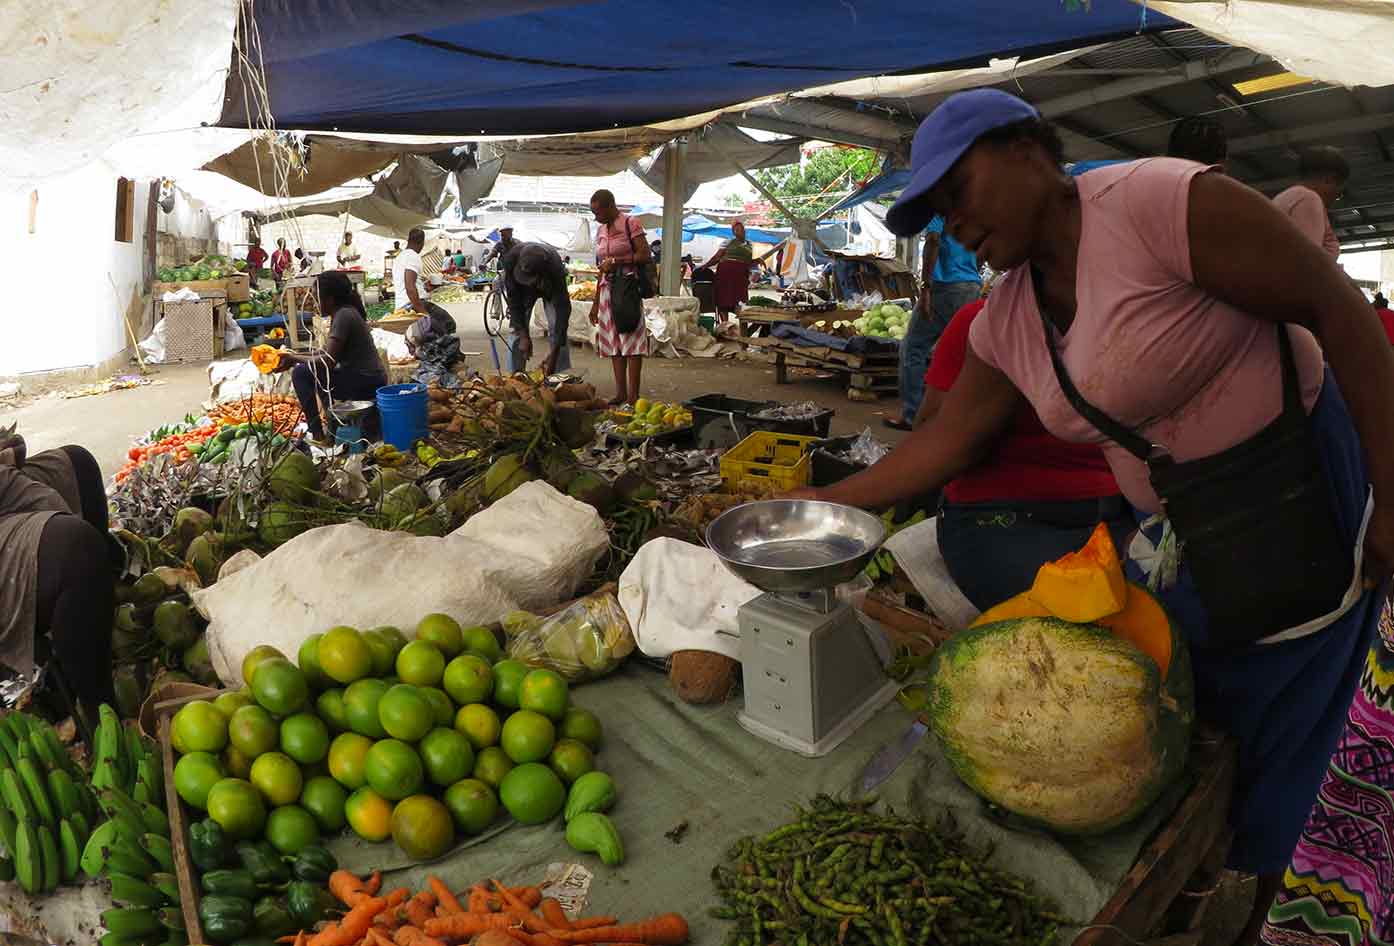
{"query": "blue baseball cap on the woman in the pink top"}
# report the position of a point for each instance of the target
(942, 140)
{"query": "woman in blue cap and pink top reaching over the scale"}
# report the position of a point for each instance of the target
(1163, 290)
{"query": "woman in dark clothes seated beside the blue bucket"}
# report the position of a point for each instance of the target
(349, 369)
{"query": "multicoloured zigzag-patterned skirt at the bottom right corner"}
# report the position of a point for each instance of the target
(1339, 890)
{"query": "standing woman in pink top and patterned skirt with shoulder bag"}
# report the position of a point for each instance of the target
(620, 243)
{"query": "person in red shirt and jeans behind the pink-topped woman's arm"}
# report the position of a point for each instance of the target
(1031, 501)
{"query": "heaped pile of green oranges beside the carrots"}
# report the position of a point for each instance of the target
(406, 740)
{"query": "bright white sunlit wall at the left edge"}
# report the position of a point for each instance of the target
(72, 284)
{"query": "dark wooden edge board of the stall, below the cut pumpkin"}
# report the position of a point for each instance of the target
(1176, 851)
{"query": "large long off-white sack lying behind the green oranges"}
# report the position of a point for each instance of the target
(529, 551)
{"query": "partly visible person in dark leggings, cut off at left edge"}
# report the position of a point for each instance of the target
(56, 571)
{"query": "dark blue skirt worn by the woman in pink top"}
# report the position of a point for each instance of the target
(1285, 703)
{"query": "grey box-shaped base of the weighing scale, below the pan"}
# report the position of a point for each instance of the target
(811, 674)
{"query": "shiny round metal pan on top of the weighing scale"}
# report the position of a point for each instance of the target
(790, 545)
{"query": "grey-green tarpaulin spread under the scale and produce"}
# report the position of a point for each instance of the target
(674, 764)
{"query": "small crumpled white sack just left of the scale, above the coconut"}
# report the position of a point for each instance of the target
(680, 597)
